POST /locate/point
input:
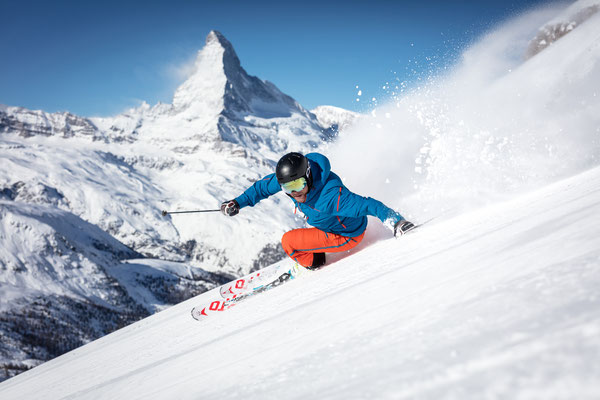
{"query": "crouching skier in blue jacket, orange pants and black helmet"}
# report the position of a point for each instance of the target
(339, 217)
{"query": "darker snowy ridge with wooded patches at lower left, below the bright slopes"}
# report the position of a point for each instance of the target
(64, 282)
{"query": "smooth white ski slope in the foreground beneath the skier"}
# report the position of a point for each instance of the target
(498, 303)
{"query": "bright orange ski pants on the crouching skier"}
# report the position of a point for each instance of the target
(300, 244)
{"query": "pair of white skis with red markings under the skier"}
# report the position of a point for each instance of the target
(247, 288)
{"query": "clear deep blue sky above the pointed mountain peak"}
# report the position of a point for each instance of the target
(99, 58)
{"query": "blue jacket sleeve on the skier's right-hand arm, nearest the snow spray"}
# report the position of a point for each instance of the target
(343, 203)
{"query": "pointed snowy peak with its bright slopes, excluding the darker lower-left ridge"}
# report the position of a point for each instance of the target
(223, 131)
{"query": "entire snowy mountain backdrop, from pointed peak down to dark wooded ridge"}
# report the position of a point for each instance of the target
(223, 130)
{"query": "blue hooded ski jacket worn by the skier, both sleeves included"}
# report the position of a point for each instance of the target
(329, 205)
